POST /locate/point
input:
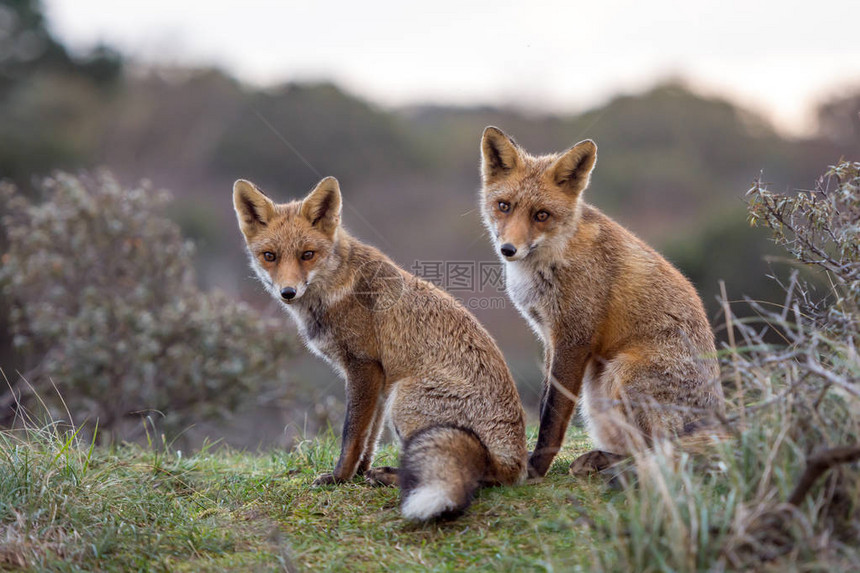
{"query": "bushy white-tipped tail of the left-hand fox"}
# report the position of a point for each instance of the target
(440, 469)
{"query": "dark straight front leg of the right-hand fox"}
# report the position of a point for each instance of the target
(561, 388)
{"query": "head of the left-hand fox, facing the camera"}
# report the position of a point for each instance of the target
(291, 245)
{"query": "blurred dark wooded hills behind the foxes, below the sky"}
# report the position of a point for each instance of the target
(673, 165)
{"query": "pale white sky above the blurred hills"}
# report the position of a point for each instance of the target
(776, 57)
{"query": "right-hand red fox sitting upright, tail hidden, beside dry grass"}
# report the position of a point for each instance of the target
(624, 333)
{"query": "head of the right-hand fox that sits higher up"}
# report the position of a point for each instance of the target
(530, 203)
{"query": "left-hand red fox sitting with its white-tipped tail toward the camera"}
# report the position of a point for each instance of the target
(408, 351)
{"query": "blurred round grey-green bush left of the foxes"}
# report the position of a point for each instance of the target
(104, 302)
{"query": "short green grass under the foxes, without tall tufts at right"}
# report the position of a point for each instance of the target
(64, 507)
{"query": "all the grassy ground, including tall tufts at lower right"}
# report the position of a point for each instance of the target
(68, 506)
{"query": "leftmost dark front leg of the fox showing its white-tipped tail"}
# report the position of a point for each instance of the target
(363, 388)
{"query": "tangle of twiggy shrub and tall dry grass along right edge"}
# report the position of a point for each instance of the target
(785, 493)
